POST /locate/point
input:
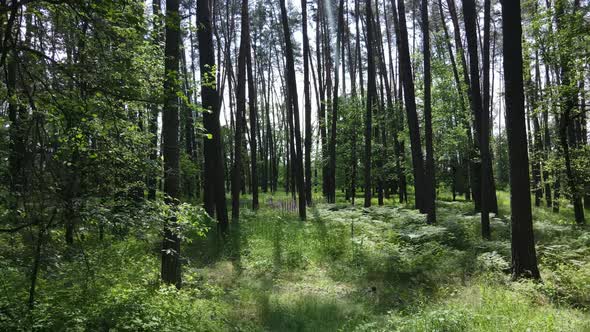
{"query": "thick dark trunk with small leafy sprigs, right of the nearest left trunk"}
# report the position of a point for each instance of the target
(214, 179)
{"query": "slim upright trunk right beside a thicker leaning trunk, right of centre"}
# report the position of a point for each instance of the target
(430, 182)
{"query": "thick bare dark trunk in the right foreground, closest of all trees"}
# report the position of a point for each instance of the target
(524, 259)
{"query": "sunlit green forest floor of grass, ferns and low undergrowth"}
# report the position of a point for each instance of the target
(347, 268)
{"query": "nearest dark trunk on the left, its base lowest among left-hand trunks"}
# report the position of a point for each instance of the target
(171, 272)
